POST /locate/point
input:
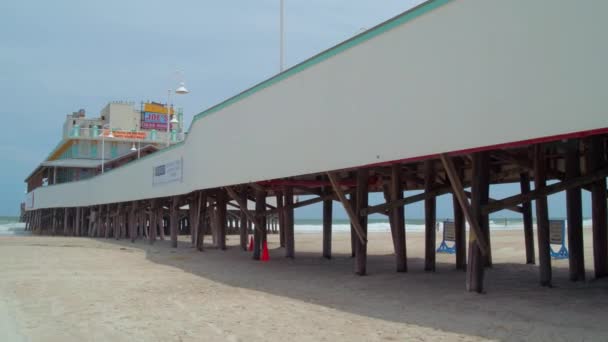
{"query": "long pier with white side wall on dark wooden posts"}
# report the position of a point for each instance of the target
(420, 102)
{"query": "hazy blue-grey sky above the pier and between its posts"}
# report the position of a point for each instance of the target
(59, 56)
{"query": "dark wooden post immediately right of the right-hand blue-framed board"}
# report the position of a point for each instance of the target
(574, 213)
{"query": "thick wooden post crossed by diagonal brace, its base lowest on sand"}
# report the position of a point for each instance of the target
(479, 197)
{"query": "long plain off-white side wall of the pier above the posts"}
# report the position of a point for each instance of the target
(467, 74)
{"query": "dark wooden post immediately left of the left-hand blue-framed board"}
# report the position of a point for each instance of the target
(429, 217)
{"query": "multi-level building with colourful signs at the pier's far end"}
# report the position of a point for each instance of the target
(86, 143)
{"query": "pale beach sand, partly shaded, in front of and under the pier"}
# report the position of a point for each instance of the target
(81, 289)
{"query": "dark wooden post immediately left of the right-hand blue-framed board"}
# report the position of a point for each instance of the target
(542, 216)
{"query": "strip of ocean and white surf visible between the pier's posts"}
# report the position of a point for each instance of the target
(411, 225)
